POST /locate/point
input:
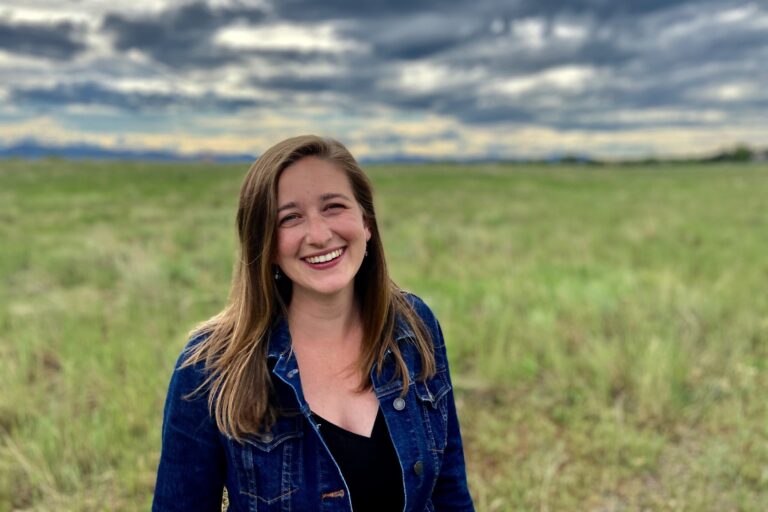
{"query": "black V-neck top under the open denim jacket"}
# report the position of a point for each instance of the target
(369, 465)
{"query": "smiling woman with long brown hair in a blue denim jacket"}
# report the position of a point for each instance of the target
(321, 386)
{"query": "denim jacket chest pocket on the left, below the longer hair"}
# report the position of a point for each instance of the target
(268, 466)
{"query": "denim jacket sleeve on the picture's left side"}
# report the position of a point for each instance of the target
(191, 472)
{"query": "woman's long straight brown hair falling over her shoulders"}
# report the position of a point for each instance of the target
(234, 348)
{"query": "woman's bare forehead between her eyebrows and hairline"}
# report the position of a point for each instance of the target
(311, 177)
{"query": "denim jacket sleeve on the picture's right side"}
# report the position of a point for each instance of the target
(451, 491)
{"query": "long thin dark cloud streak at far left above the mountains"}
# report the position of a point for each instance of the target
(90, 93)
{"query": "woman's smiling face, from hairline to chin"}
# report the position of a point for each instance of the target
(321, 233)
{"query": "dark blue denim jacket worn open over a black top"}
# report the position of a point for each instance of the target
(290, 468)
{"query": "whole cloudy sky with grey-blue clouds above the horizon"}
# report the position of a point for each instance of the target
(436, 78)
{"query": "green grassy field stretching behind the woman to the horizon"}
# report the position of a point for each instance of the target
(607, 327)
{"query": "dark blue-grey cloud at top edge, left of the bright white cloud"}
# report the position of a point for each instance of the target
(181, 36)
